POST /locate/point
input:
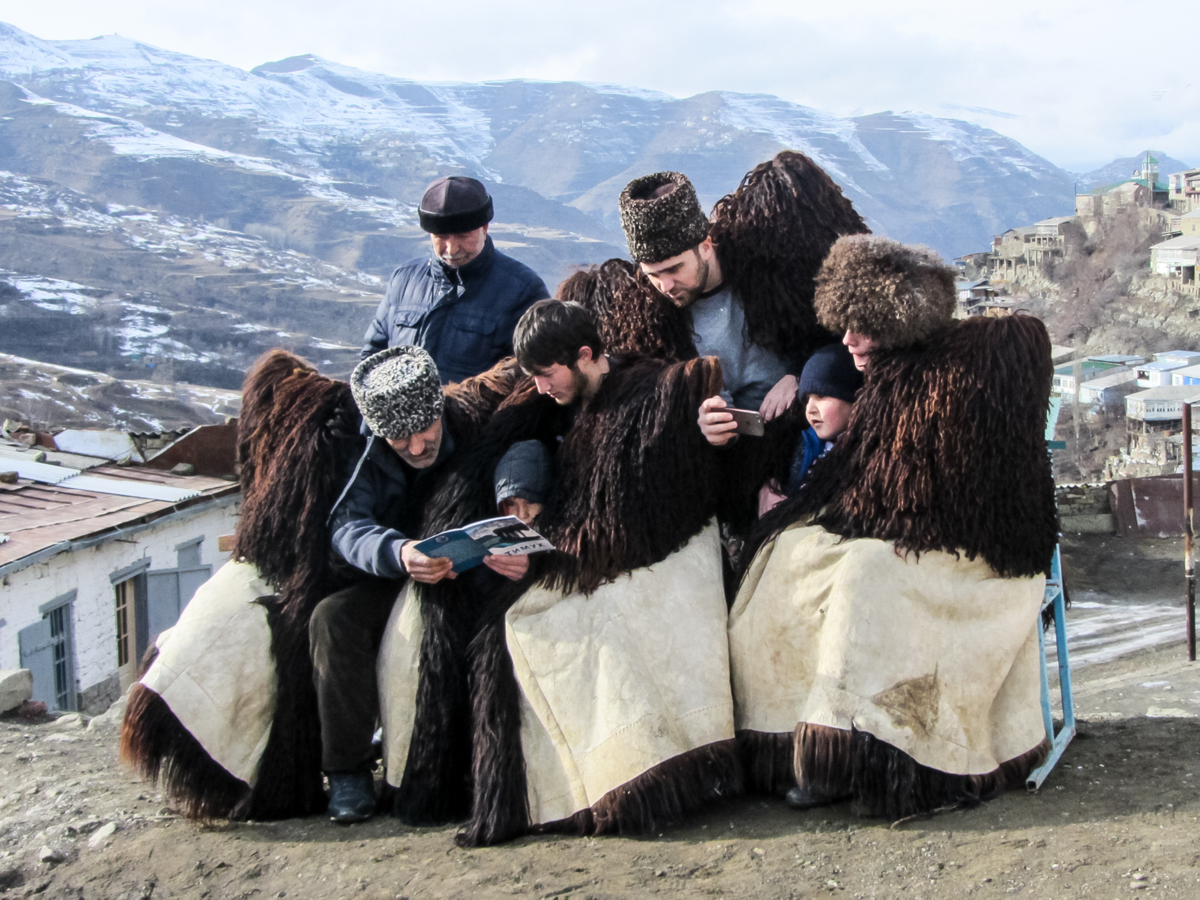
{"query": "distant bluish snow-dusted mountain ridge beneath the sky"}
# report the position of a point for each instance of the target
(922, 179)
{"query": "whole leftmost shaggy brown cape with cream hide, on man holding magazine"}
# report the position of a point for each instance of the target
(298, 437)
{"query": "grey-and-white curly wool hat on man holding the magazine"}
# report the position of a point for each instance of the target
(398, 392)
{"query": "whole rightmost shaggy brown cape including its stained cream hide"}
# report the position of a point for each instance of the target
(944, 463)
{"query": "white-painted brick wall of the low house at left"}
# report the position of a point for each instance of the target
(88, 573)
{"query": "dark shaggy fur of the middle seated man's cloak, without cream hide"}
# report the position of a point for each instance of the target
(635, 483)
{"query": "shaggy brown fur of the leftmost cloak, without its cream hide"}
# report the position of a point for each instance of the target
(298, 440)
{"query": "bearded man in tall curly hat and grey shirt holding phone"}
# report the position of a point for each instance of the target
(669, 238)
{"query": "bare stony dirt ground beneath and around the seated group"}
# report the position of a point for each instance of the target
(1119, 815)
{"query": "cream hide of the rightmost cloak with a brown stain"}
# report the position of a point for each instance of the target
(937, 657)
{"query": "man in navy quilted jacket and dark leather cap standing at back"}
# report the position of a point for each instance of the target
(463, 304)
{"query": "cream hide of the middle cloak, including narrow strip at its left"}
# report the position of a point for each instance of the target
(613, 685)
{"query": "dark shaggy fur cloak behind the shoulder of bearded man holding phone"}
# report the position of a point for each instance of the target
(772, 236)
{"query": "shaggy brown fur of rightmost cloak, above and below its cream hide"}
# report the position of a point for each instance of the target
(939, 436)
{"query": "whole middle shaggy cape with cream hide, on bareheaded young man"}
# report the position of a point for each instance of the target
(635, 494)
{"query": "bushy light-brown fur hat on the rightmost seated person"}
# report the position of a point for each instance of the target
(887, 291)
